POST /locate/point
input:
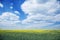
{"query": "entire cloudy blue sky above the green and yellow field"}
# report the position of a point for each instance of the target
(29, 14)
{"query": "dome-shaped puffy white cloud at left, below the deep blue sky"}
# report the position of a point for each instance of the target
(9, 16)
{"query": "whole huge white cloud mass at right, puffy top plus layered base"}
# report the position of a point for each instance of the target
(41, 12)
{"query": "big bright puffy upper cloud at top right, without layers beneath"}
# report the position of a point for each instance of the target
(44, 8)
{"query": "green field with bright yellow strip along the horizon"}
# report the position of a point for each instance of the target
(29, 34)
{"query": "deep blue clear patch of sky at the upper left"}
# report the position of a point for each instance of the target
(16, 4)
